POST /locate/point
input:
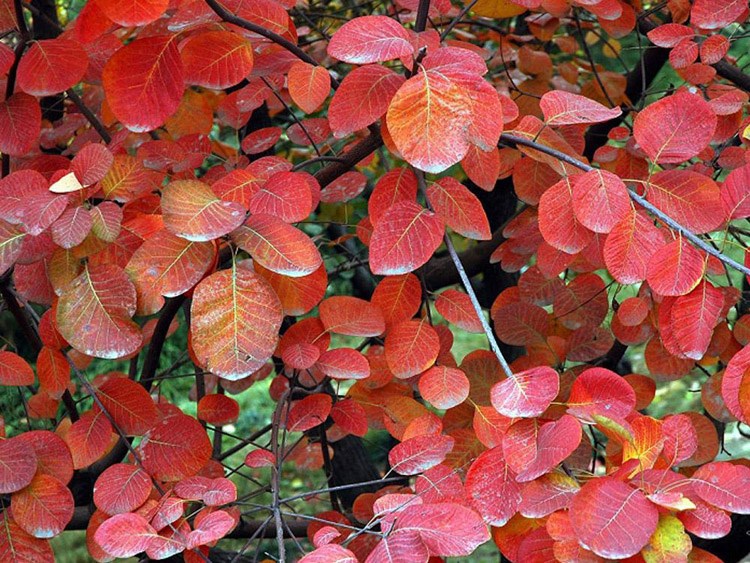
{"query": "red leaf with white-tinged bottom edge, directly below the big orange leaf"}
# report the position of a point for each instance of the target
(404, 239)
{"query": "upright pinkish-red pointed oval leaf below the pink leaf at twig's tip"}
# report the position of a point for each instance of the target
(492, 488)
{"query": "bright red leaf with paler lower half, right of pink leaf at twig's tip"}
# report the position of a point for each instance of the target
(599, 391)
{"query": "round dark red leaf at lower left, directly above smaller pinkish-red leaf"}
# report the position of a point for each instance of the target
(176, 448)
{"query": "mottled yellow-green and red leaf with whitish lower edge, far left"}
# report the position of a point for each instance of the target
(94, 313)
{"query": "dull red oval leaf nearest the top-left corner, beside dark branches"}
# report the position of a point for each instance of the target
(51, 66)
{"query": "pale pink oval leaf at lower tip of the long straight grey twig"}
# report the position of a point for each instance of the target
(527, 394)
